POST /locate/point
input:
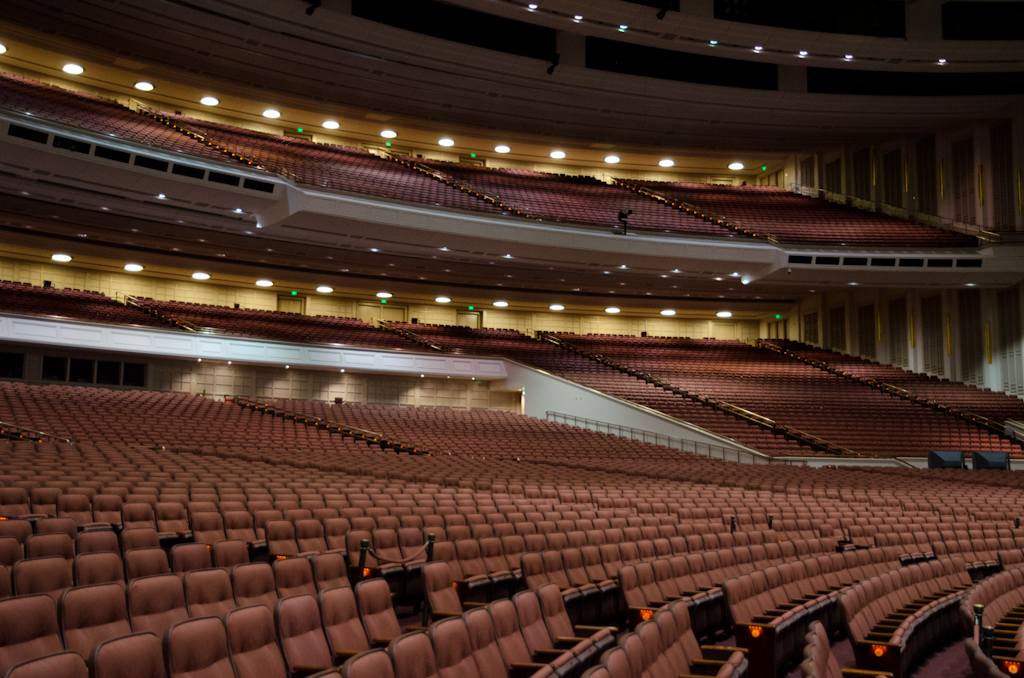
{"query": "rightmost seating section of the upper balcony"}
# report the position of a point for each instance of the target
(794, 219)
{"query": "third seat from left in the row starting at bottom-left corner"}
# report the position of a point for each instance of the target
(198, 649)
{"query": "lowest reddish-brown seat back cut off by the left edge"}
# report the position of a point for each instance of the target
(28, 630)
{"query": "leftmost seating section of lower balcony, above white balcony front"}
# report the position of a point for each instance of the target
(78, 305)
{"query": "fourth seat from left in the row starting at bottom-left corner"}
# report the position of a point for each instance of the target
(252, 644)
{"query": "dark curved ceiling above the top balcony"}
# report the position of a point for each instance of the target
(332, 64)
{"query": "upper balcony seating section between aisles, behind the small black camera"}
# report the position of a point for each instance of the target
(572, 199)
